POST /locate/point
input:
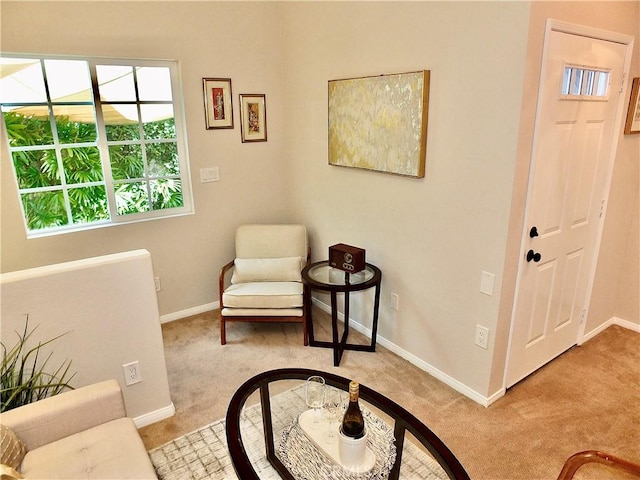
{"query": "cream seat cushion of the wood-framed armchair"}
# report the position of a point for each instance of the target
(263, 295)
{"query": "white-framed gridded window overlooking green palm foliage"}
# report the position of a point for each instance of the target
(94, 142)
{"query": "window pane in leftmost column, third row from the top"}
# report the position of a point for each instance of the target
(36, 168)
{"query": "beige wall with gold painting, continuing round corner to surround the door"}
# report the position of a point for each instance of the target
(433, 237)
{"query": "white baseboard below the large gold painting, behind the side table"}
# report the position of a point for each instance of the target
(430, 369)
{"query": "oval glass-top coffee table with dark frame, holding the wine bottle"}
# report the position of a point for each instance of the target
(266, 441)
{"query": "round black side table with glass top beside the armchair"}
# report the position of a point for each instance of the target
(321, 276)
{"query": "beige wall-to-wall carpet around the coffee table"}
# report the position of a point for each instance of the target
(589, 398)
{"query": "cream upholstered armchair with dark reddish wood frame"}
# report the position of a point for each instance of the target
(265, 283)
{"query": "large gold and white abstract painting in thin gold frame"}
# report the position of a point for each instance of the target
(380, 123)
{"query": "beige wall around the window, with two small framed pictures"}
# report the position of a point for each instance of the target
(234, 40)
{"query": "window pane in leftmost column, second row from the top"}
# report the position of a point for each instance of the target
(27, 129)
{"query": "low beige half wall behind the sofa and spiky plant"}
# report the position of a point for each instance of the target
(106, 311)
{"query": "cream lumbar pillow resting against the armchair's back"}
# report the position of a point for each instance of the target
(284, 269)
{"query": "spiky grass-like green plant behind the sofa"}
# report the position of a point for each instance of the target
(25, 379)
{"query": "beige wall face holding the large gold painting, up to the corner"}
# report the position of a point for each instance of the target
(431, 237)
